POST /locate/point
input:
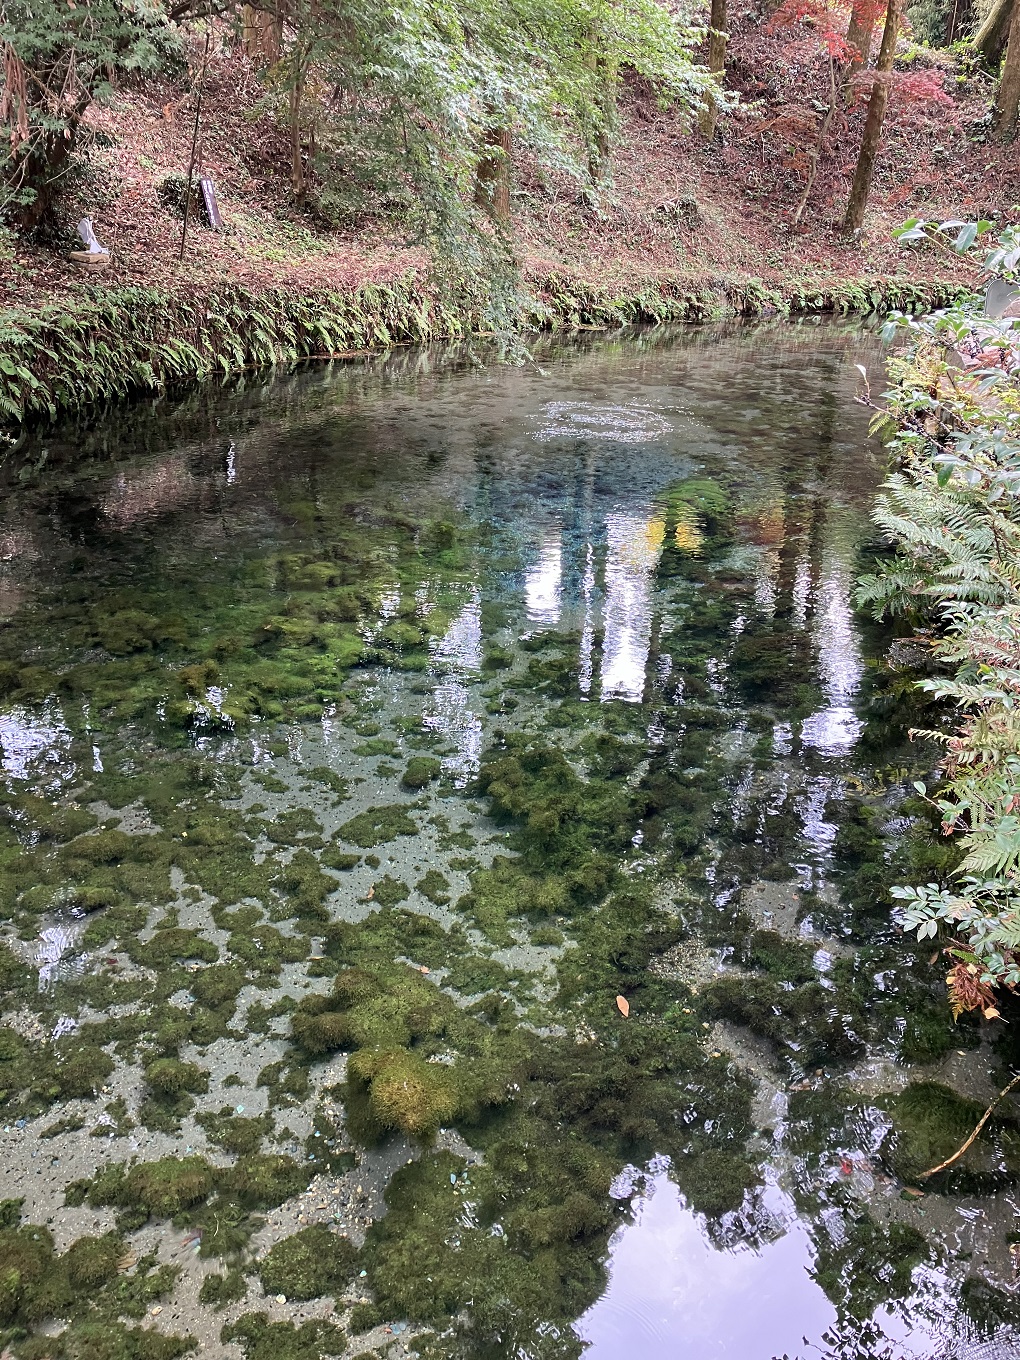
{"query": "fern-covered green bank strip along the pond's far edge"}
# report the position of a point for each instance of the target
(126, 342)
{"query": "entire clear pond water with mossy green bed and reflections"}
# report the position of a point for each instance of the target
(452, 809)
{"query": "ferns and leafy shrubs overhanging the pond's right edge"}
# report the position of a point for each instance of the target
(953, 508)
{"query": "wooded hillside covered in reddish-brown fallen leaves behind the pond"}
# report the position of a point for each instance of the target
(338, 160)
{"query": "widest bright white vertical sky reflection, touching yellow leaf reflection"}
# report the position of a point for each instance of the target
(633, 547)
